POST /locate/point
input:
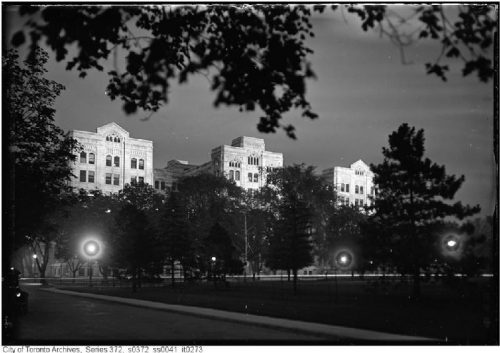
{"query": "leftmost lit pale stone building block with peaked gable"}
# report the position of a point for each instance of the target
(110, 159)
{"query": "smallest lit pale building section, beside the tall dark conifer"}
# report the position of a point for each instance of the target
(354, 185)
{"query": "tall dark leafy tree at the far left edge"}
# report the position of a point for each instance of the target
(39, 152)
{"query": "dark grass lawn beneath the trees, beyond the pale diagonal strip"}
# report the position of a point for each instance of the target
(457, 313)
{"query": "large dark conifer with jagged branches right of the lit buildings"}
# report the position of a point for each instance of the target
(411, 198)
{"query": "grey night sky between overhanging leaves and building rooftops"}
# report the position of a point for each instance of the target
(362, 93)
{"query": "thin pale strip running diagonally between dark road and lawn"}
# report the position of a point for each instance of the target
(290, 325)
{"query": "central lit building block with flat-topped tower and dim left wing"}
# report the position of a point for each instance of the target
(245, 162)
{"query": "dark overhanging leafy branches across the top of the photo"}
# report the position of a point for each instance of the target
(254, 56)
